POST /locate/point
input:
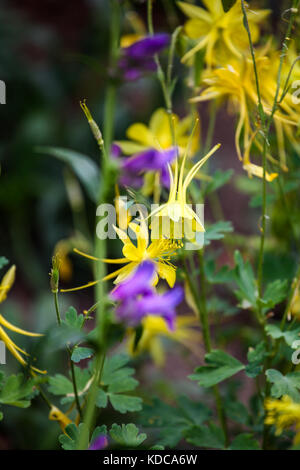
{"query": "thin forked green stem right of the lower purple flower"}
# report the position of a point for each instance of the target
(203, 318)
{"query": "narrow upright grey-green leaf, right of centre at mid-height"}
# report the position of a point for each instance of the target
(244, 277)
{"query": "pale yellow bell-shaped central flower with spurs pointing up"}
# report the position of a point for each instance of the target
(175, 218)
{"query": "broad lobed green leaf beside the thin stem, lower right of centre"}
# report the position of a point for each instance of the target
(220, 366)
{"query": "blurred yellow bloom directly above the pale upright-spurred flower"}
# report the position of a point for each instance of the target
(159, 134)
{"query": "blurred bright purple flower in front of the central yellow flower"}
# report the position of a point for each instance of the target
(138, 299)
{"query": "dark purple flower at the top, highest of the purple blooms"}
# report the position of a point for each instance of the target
(138, 59)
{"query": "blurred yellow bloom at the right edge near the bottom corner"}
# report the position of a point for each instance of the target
(284, 414)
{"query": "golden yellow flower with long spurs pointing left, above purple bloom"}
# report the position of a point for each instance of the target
(159, 251)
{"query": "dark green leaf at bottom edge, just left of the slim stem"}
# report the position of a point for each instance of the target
(209, 436)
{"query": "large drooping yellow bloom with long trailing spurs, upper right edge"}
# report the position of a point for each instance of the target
(235, 82)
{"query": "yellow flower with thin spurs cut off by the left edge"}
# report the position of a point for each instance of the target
(6, 284)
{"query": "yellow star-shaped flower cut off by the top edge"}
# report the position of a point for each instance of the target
(221, 34)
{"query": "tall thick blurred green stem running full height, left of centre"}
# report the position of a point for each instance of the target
(100, 245)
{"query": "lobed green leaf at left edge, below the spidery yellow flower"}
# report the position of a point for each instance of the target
(15, 391)
